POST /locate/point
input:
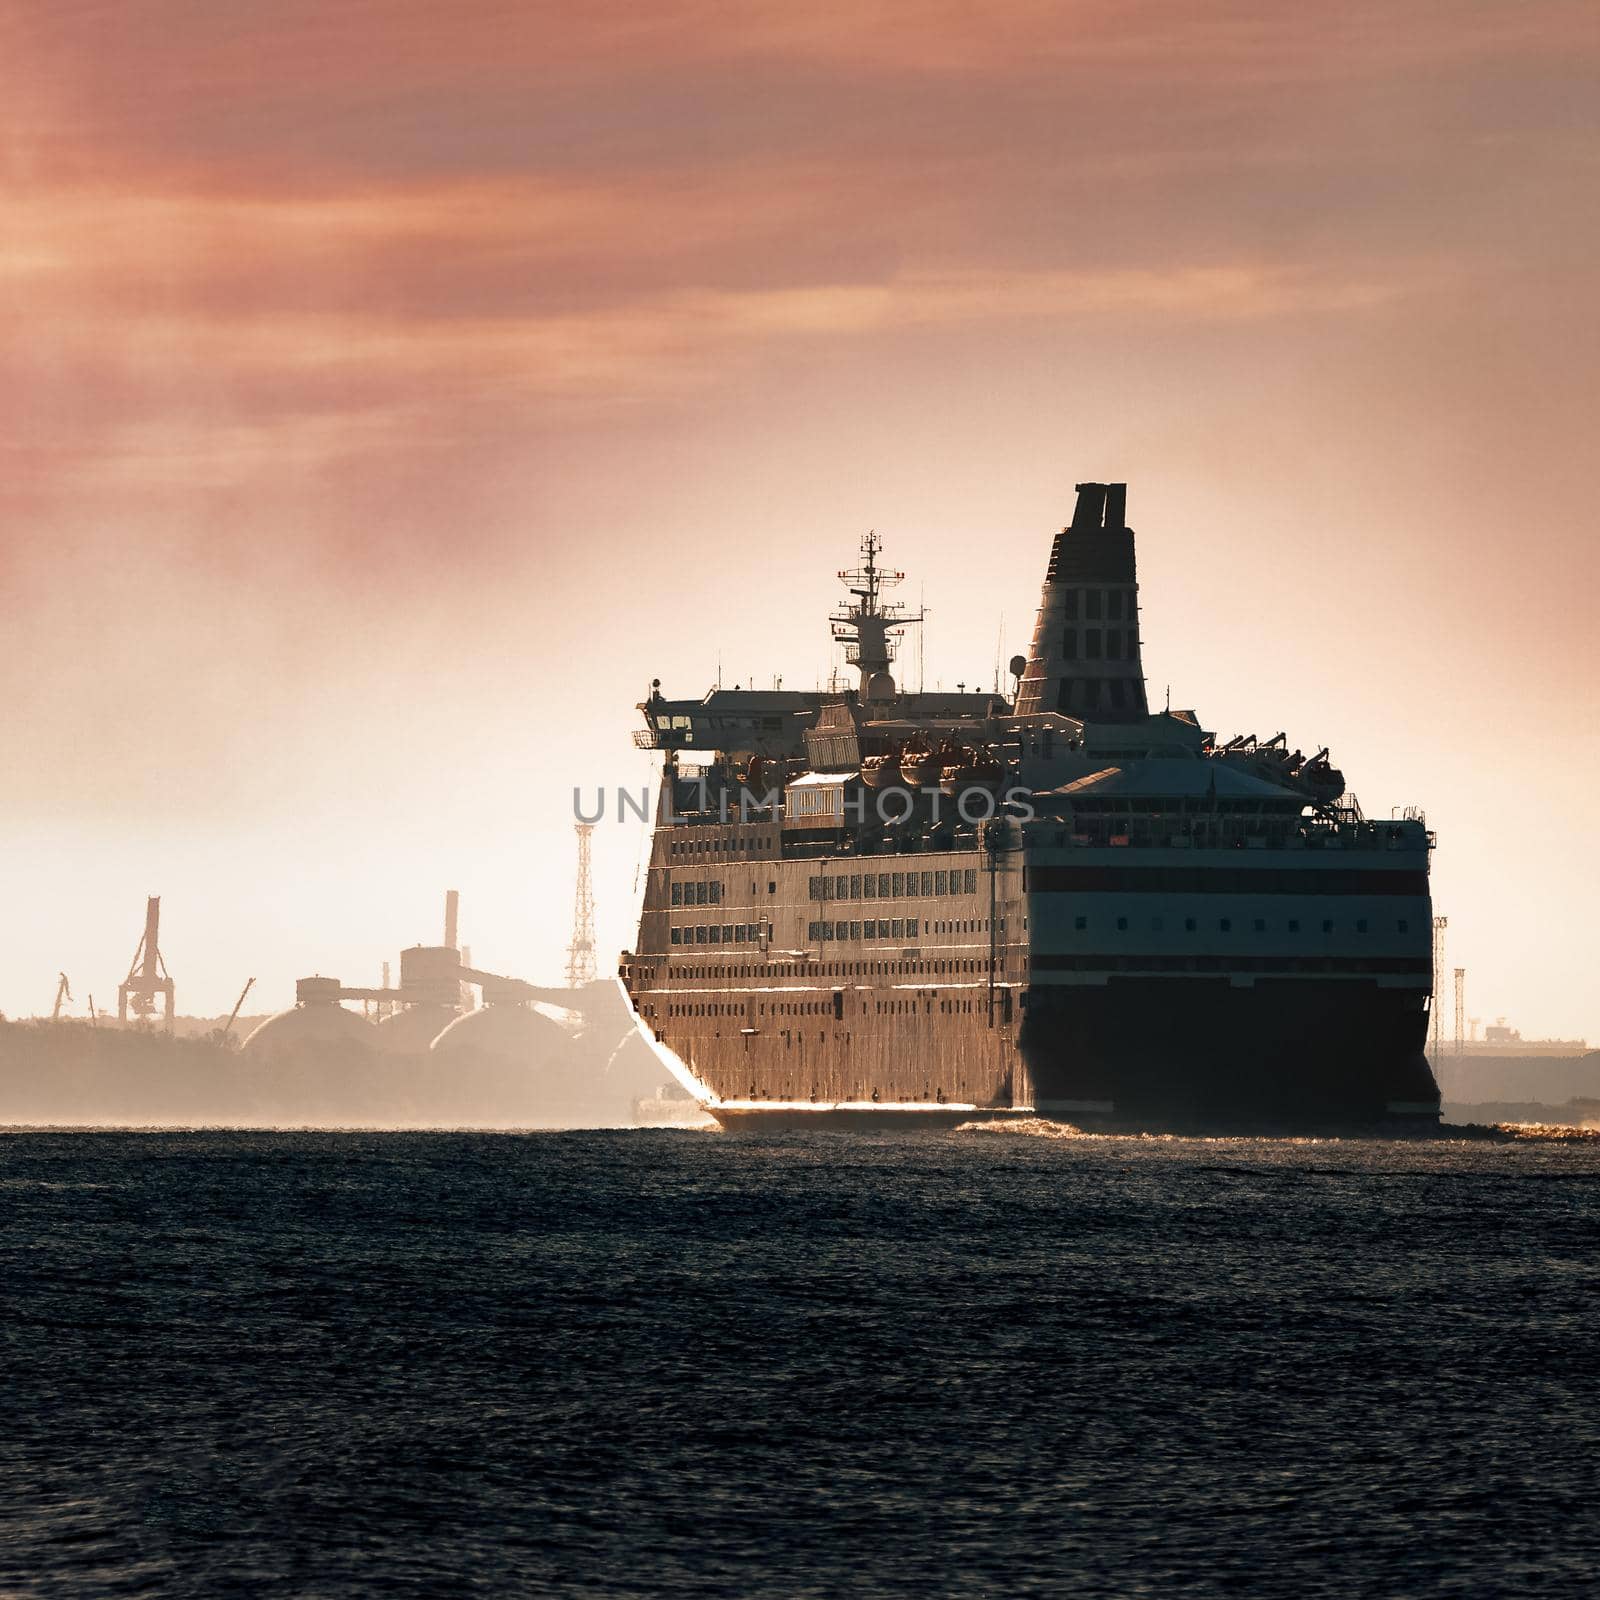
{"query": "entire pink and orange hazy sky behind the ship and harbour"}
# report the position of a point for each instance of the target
(393, 391)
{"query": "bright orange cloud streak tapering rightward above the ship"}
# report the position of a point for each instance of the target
(239, 383)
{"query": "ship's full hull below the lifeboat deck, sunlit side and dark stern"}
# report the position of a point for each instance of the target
(1111, 986)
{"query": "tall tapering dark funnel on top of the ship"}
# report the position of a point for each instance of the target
(1086, 658)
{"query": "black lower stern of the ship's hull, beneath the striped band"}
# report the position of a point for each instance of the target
(1282, 1055)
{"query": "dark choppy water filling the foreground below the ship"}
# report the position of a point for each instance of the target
(682, 1364)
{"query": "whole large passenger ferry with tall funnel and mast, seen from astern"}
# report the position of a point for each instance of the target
(886, 908)
